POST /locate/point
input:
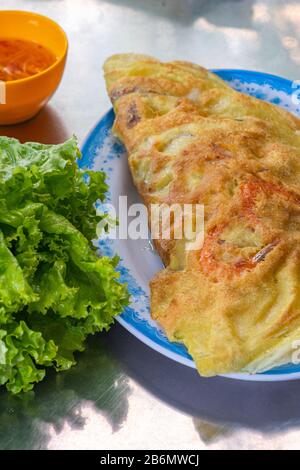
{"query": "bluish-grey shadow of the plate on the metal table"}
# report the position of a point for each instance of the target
(263, 406)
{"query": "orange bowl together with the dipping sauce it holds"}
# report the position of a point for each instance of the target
(33, 52)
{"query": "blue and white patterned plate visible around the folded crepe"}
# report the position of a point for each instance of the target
(102, 151)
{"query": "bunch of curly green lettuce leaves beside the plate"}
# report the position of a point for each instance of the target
(55, 289)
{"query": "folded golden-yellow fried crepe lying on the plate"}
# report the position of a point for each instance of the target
(234, 303)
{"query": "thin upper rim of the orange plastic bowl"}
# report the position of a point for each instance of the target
(27, 13)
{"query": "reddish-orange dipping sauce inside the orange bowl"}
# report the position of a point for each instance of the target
(20, 59)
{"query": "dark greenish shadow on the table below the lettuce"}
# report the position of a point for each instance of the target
(26, 422)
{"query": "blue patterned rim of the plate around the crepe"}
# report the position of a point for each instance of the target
(265, 86)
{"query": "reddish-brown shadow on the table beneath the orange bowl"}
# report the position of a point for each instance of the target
(46, 127)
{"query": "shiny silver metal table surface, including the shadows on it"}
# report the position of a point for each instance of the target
(123, 395)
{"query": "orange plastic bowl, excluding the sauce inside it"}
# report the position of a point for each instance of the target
(22, 99)
